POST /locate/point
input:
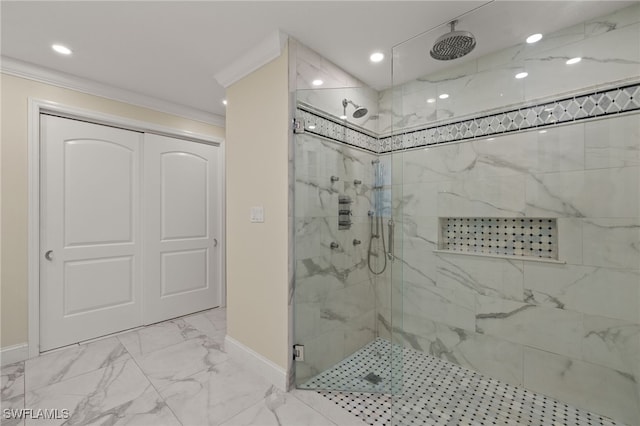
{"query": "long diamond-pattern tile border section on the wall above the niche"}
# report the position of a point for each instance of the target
(592, 105)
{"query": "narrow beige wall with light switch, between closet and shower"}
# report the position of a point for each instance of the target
(257, 174)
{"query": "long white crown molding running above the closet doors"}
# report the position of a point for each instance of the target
(30, 71)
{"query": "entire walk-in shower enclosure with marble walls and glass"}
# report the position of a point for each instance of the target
(482, 217)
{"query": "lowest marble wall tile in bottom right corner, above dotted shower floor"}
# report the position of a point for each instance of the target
(598, 389)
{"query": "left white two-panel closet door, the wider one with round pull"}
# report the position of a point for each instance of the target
(90, 231)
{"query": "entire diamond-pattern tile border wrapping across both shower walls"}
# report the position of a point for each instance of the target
(579, 107)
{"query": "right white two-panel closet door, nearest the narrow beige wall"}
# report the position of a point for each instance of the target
(182, 214)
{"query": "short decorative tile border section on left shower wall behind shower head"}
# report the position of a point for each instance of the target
(321, 126)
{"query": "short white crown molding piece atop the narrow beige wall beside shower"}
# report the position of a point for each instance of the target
(266, 51)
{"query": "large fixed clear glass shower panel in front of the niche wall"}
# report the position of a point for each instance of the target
(500, 141)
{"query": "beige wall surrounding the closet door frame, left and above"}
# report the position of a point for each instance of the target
(14, 180)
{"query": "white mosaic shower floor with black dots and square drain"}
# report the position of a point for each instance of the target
(437, 392)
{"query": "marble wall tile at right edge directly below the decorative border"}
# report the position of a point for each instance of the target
(614, 142)
